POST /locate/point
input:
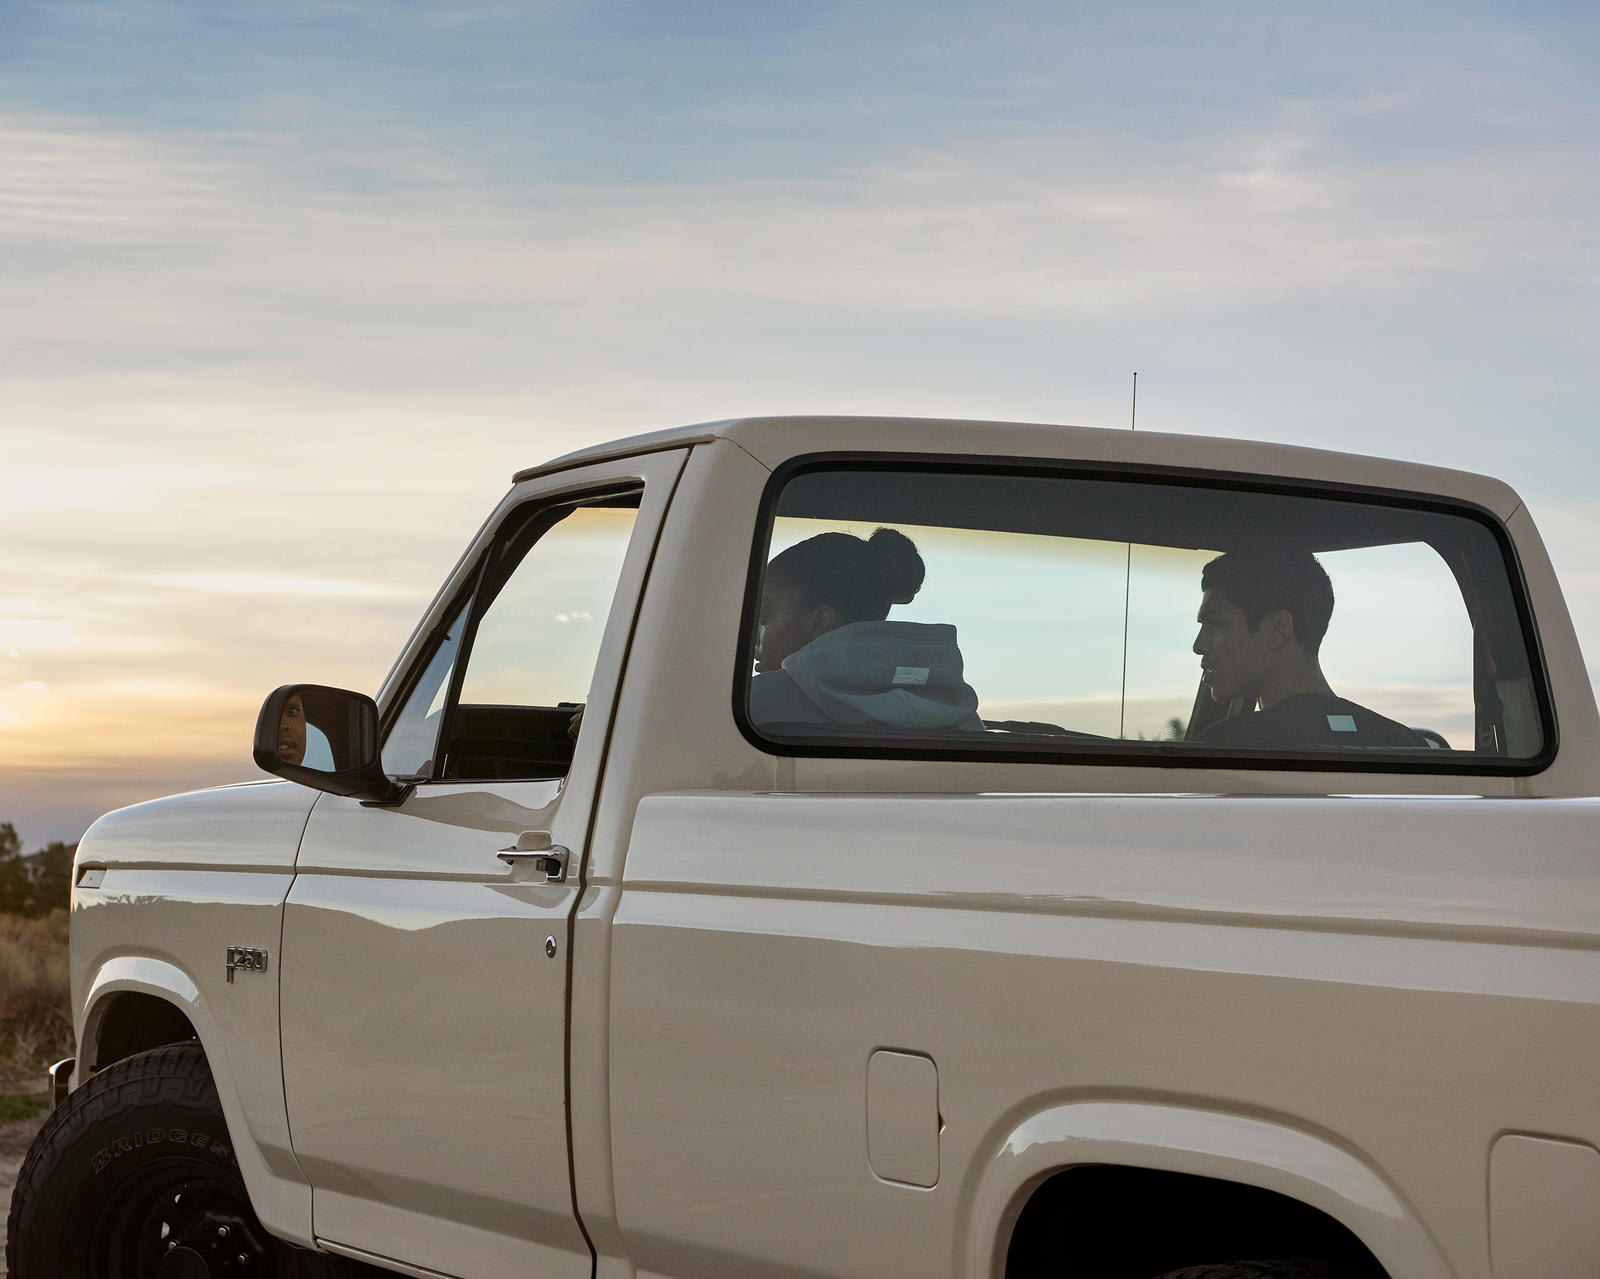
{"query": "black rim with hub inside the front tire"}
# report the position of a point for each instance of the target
(180, 1221)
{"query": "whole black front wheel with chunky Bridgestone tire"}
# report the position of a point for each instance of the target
(134, 1177)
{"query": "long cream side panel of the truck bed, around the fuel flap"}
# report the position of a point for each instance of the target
(1334, 937)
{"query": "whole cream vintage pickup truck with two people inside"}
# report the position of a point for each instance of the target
(1066, 881)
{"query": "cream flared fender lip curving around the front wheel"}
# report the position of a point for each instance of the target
(252, 1094)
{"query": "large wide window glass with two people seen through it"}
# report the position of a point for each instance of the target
(1106, 619)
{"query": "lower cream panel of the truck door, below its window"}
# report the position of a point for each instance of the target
(420, 961)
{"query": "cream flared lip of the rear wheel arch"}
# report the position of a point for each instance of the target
(1265, 1155)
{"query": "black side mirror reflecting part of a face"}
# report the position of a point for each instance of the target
(326, 739)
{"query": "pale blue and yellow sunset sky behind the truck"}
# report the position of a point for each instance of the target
(289, 292)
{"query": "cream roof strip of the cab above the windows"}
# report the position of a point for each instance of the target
(774, 441)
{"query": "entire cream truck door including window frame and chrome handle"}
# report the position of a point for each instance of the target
(425, 948)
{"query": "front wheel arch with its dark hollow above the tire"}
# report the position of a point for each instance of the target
(129, 988)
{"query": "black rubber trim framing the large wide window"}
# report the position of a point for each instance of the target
(1134, 755)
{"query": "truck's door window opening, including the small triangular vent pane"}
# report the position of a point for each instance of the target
(500, 692)
